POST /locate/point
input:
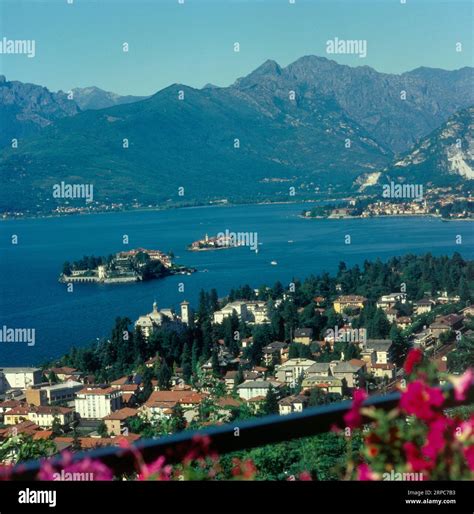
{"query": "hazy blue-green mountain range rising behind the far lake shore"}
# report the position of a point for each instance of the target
(314, 124)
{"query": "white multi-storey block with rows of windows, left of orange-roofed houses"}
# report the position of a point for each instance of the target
(93, 403)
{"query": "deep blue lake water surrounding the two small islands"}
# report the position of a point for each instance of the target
(32, 297)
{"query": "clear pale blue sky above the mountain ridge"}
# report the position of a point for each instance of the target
(80, 45)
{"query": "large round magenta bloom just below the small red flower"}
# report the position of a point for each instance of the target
(420, 400)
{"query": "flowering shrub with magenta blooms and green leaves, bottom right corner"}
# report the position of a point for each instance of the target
(420, 439)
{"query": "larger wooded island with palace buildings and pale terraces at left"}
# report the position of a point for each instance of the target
(123, 267)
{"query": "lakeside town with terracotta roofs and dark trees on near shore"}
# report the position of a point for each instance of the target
(272, 350)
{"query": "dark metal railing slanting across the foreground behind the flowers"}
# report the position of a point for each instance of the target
(240, 435)
